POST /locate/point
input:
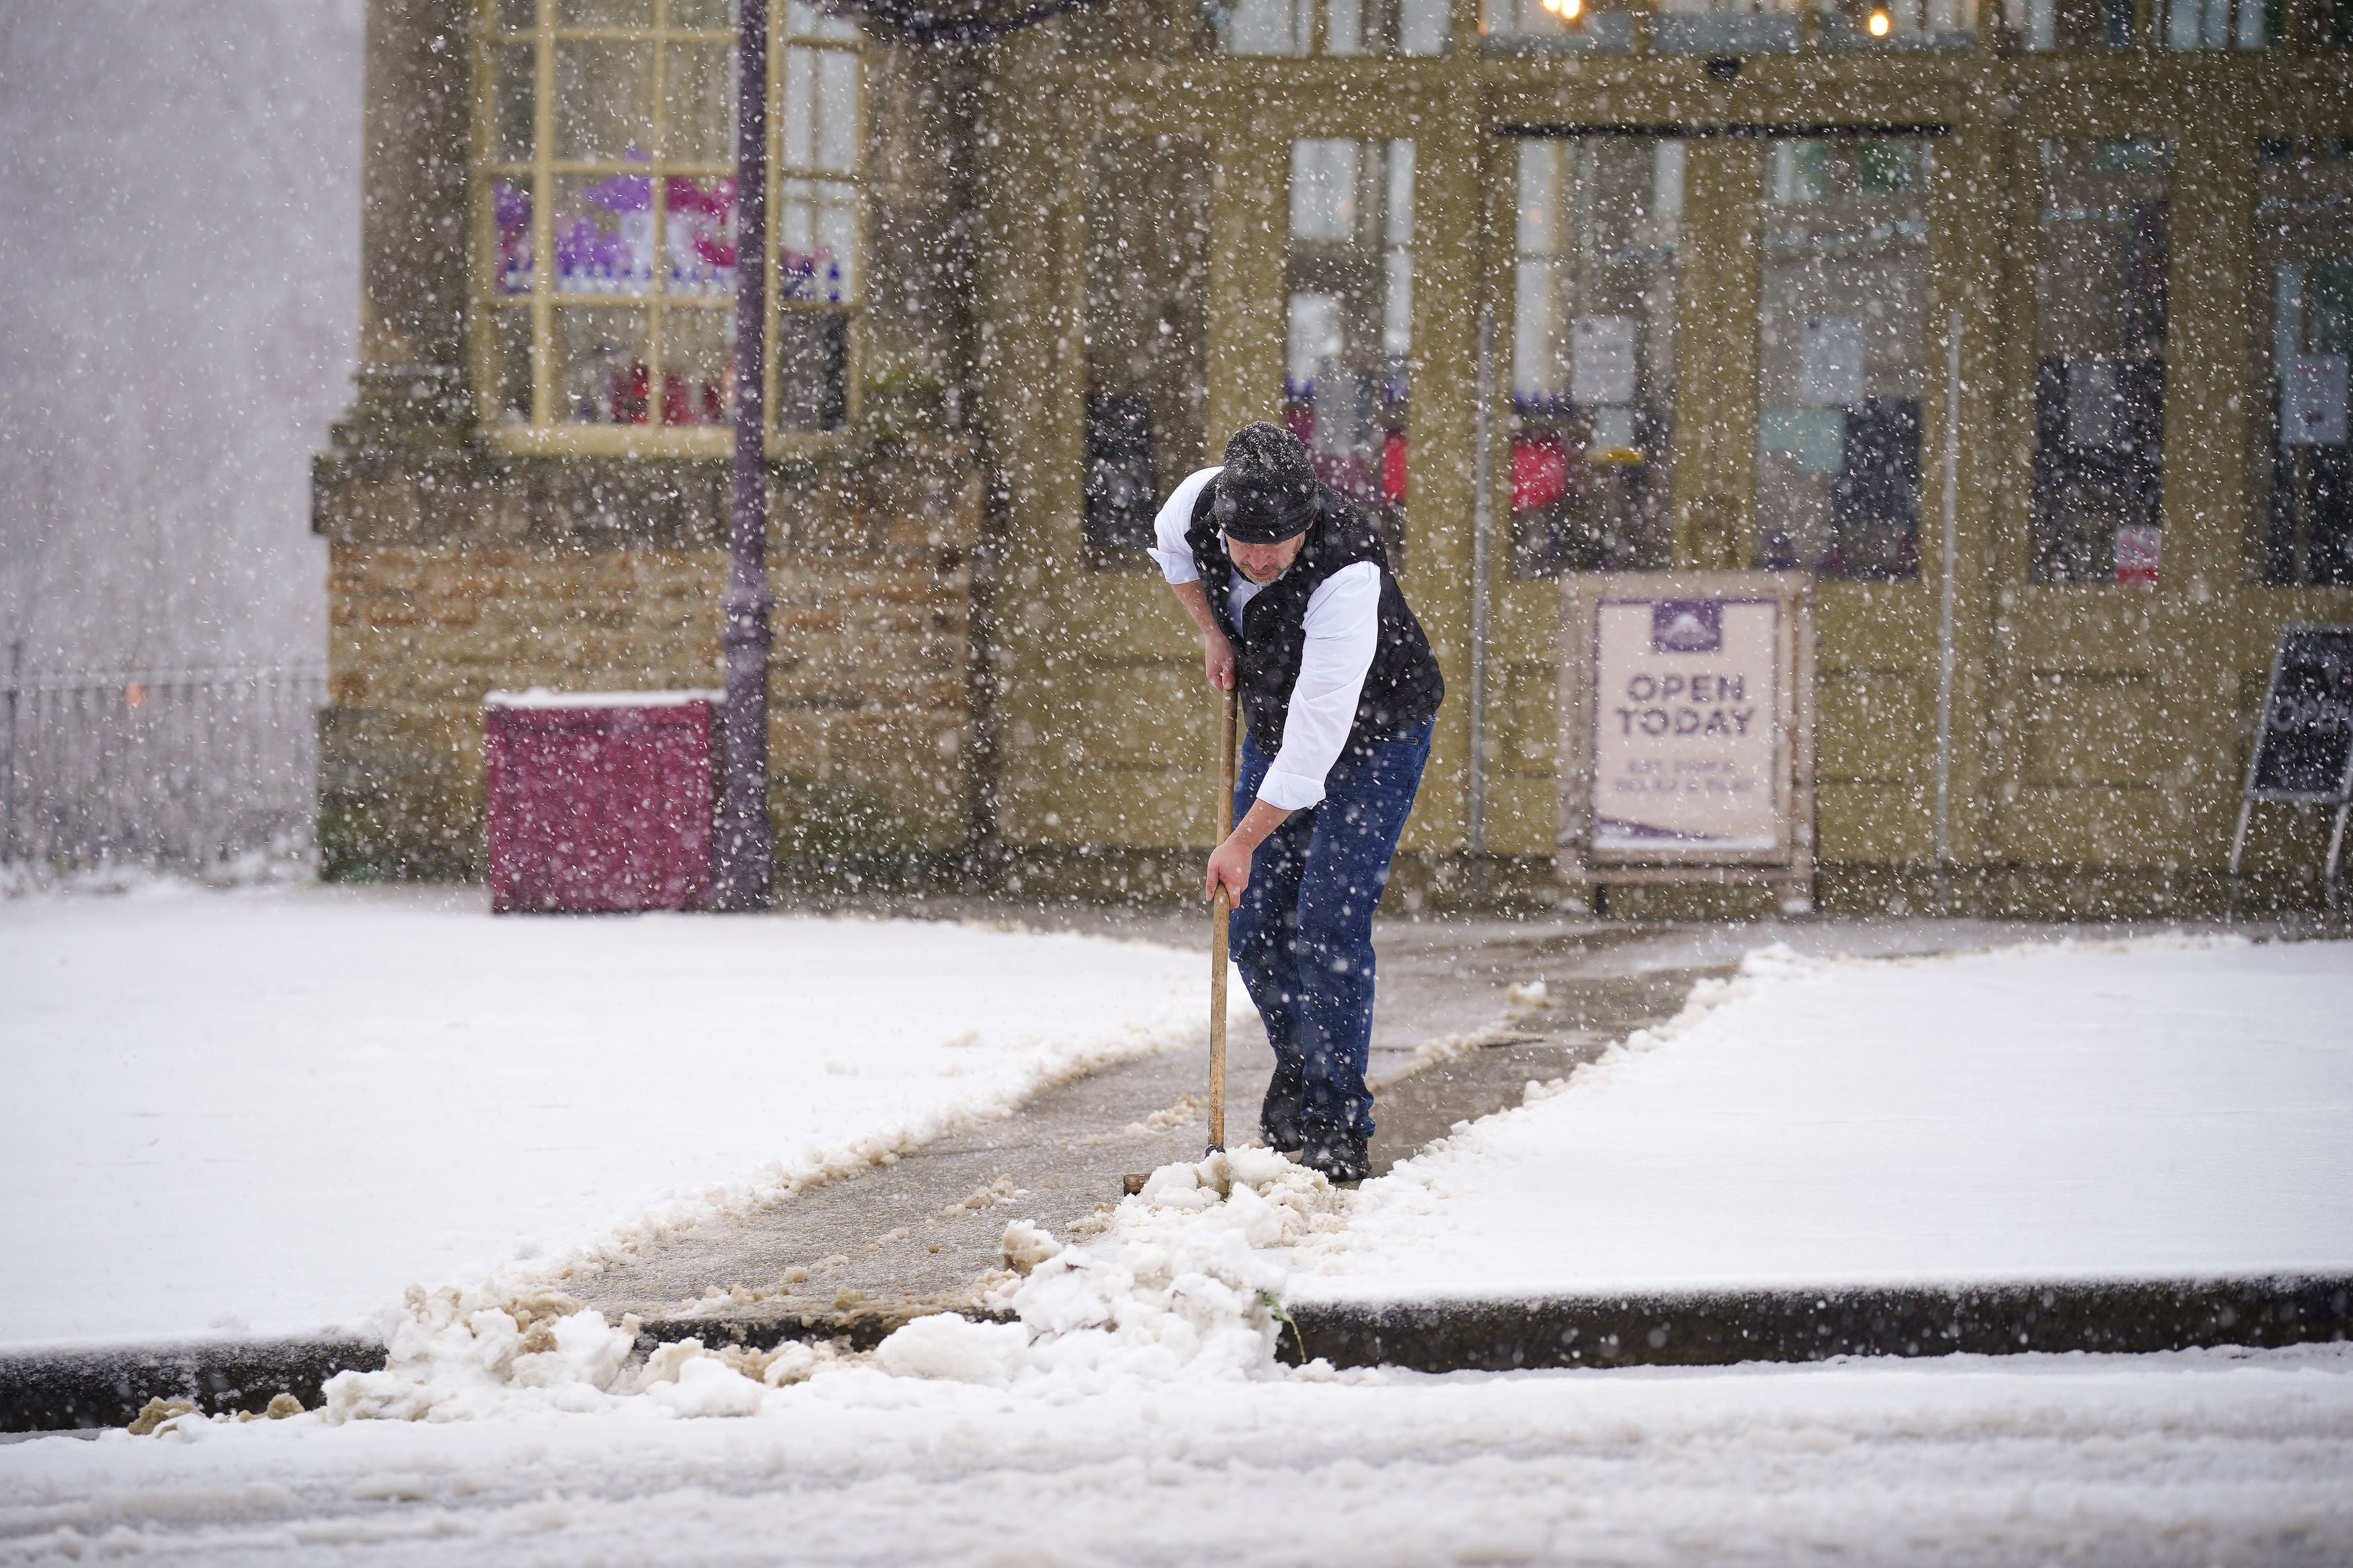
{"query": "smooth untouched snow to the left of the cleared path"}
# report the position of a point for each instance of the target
(279, 1108)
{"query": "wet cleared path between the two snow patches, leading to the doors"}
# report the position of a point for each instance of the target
(1451, 1045)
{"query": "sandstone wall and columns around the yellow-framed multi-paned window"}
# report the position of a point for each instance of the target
(465, 563)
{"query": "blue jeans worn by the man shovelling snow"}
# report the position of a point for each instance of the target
(1302, 932)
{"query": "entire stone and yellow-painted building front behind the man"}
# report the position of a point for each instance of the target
(1724, 260)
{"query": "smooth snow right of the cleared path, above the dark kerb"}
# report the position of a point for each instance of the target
(2161, 1108)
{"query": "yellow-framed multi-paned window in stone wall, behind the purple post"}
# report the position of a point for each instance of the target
(608, 215)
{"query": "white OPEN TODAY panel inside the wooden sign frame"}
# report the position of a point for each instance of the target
(1686, 746)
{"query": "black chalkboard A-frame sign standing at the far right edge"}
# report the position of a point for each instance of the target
(2305, 742)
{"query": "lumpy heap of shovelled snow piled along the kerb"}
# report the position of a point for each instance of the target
(1180, 1287)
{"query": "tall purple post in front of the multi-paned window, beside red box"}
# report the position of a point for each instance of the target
(745, 843)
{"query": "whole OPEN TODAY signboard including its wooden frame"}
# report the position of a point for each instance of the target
(1688, 730)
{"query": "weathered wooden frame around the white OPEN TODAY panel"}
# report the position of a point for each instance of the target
(1789, 864)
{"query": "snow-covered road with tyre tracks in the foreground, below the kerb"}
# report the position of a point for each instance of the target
(2131, 1461)
